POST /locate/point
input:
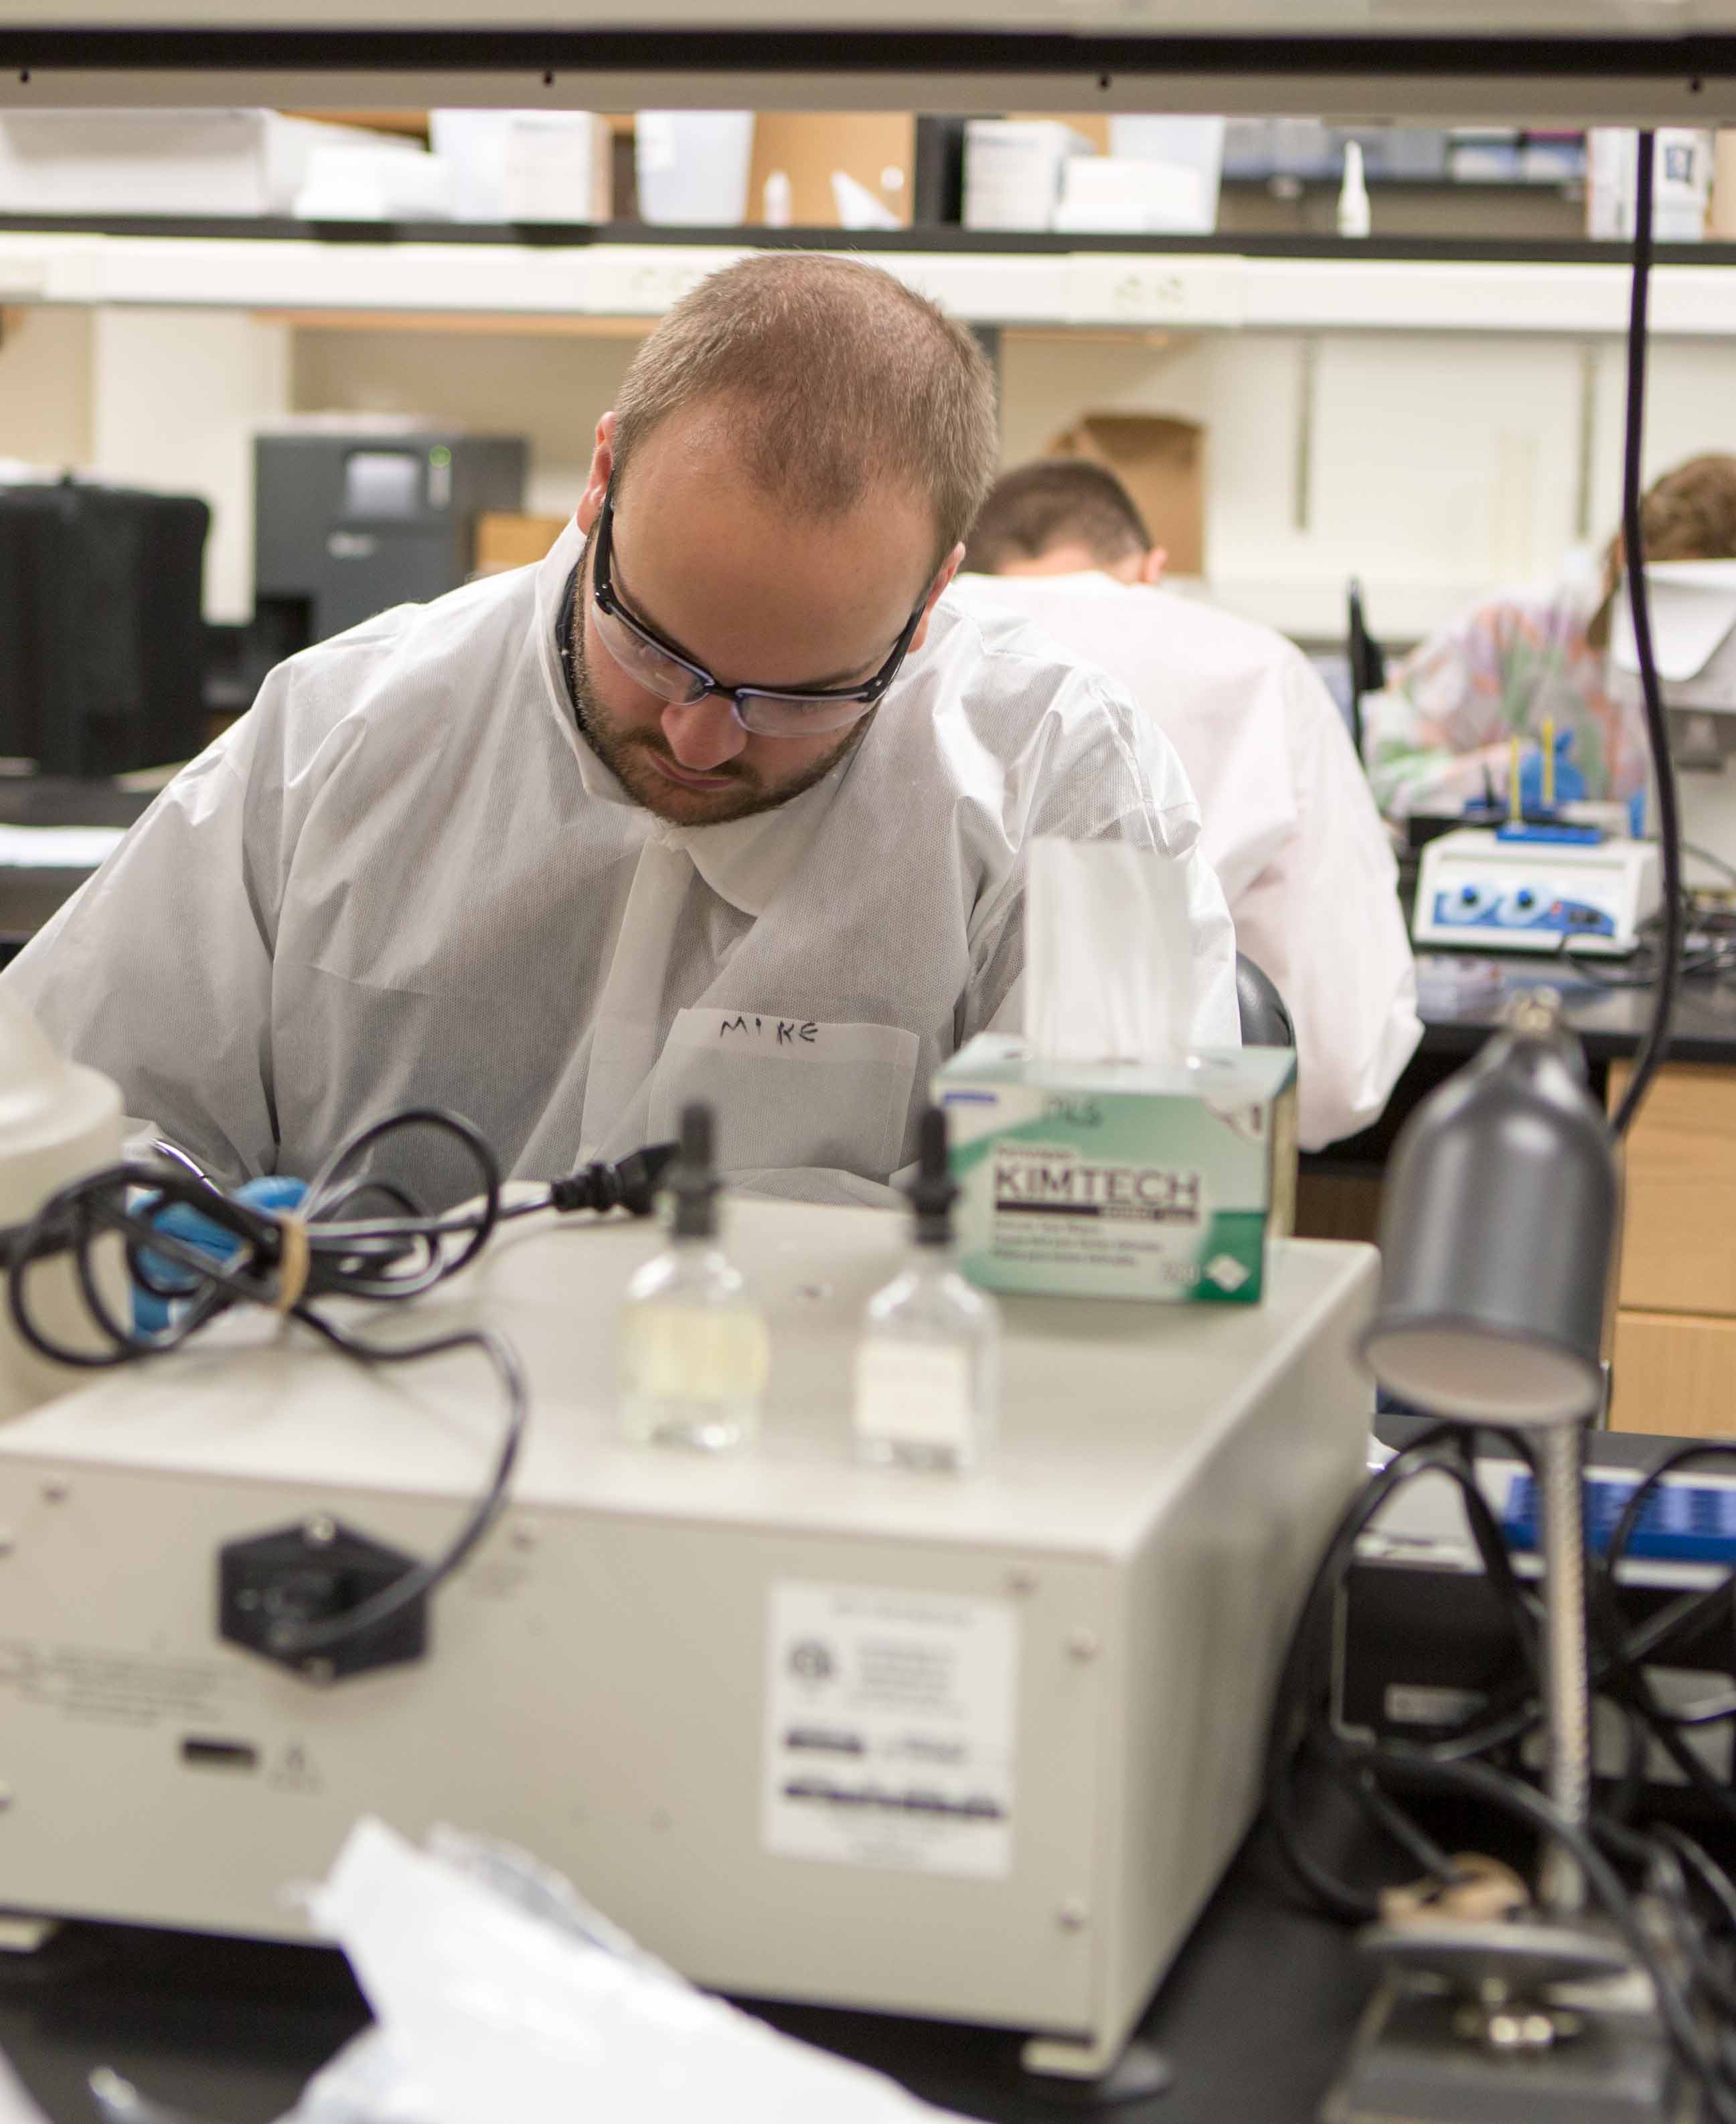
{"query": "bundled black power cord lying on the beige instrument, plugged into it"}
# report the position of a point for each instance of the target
(288, 1263)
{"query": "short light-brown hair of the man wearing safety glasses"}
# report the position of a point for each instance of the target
(832, 379)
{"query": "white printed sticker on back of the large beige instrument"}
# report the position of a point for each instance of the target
(889, 1730)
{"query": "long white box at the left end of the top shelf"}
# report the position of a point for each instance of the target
(160, 162)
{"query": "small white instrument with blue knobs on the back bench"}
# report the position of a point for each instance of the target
(1529, 895)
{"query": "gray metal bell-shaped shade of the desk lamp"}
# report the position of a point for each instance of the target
(1497, 1233)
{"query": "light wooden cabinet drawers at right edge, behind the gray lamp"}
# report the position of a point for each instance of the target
(1675, 1329)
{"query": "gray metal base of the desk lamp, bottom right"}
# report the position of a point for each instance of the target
(1423, 2059)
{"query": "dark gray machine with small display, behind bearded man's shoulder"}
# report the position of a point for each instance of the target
(358, 521)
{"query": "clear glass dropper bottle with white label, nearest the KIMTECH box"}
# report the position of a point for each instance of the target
(930, 1360)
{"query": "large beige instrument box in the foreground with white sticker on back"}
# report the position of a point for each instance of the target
(968, 1747)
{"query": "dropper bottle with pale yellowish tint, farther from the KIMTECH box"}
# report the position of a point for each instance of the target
(694, 1350)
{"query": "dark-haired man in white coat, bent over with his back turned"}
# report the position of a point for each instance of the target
(1289, 819)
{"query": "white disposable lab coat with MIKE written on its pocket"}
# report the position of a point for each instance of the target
(407, 878)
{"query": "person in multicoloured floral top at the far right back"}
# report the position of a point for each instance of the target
(1440, 732)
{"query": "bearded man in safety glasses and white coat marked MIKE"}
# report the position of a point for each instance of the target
(715, 802)
